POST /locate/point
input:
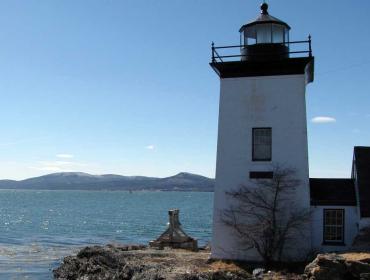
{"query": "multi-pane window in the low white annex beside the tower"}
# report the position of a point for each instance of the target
(333, 226)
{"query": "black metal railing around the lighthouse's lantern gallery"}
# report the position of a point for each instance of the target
(227, 51)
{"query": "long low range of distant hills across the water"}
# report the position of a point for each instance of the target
(83, 181)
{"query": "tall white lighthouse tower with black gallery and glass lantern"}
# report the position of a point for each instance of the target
(262, 121)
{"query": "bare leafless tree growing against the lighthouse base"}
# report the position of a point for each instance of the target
(263, 215)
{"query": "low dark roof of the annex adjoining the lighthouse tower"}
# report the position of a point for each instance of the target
(332, 192)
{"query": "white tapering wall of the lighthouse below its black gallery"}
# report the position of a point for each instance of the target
(272, 101)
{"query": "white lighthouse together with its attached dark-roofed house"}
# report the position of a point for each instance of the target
(262, 123)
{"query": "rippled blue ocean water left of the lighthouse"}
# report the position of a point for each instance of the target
(39, 228)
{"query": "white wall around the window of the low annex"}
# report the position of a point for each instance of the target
(351, 220)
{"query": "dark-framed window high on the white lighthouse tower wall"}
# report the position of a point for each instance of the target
(261, 150)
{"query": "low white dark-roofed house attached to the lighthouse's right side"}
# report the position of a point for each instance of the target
(341, 207)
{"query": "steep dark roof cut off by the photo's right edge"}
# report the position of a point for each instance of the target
(361, 171)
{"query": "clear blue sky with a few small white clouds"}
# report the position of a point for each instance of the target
(125, 86)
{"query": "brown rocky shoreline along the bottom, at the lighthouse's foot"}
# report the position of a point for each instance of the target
(139, 262)
